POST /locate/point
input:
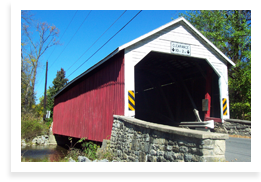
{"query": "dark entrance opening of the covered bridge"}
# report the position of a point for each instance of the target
(168, 88)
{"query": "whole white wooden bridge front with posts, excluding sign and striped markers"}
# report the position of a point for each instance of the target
(179, 30)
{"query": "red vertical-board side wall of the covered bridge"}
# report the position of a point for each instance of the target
(86, 108)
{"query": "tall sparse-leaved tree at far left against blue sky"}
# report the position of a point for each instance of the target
(32, 48)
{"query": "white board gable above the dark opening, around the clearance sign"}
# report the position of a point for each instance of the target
(161, 41)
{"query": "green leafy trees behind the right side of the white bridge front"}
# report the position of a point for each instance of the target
(230, 31)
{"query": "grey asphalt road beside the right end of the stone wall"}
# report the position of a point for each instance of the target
(238, 150)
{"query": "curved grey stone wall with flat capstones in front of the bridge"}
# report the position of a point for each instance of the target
(134, 140)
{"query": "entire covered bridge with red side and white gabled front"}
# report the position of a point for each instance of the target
(161, 77)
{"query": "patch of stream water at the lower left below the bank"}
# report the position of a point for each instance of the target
(38, 153)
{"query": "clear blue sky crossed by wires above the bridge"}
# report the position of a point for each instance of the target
(92, 28)
